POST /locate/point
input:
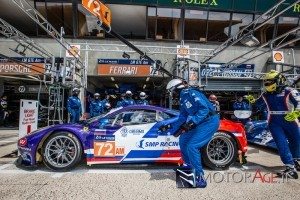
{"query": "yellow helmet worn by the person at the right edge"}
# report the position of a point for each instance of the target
(273, 80)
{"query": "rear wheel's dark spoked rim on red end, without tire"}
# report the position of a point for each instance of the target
(220, 150)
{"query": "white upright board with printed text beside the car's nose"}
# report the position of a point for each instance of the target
(28, 117)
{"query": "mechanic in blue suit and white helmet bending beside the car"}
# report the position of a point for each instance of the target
(199, 121)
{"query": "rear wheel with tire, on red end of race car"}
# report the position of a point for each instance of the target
(220, 152)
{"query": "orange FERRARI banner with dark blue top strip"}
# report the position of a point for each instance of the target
(125, 67)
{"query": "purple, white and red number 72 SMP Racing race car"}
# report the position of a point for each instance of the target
(126, 135)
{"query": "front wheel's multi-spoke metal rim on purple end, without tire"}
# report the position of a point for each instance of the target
(60, 151)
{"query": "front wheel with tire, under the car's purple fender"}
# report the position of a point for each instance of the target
(61, 151)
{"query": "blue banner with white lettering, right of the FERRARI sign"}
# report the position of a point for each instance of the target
(216, 70)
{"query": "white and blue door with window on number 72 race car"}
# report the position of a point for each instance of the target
(135, 125)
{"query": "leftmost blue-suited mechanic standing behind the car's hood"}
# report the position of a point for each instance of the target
(74, 106)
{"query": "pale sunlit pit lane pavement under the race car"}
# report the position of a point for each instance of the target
(146, 181)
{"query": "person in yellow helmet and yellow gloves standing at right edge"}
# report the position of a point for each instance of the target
(283, 105)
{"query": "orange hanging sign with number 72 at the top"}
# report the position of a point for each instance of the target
(100, 10)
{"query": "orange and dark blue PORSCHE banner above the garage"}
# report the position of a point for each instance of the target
(33, 66)
